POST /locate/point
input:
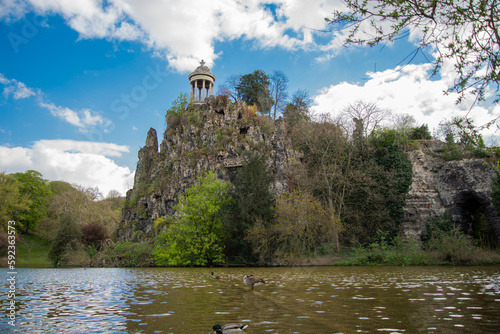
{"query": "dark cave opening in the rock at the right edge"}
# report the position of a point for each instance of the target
(470, 211)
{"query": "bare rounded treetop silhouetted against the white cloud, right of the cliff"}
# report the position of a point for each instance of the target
(365, 114)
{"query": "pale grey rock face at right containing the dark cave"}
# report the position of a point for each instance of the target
(461, 188)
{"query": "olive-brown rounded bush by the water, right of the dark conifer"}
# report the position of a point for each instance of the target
(301, 227)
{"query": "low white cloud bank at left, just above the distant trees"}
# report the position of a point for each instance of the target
(83, 163)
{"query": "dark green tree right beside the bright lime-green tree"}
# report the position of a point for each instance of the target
(251, 202)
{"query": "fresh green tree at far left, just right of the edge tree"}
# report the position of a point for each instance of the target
(39, 192)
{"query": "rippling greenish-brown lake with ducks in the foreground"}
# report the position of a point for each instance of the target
(294, 300)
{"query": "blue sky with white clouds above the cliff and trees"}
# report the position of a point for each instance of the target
(82, 81)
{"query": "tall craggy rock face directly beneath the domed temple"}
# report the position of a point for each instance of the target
(213, 135)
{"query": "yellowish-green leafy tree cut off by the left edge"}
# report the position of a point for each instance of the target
(12, 202)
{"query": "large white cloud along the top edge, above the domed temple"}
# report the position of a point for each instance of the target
(183, 33)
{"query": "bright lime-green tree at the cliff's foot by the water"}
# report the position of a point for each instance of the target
(196, 234)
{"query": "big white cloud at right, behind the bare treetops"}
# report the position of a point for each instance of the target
(408, 90)
